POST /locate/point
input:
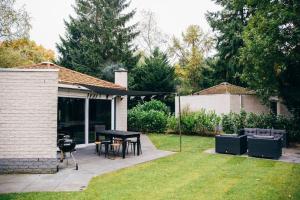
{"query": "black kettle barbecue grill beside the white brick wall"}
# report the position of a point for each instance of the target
(67, 145)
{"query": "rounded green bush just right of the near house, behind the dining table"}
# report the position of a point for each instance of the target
(151, 116)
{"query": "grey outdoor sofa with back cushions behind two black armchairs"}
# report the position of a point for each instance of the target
(267, 132)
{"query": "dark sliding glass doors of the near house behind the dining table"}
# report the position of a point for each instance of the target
(71, 117)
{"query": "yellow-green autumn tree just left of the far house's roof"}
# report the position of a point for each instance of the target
(191, 53)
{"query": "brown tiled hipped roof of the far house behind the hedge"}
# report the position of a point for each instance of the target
(225, 88)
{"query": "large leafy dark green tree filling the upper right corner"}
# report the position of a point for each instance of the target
(272, 51)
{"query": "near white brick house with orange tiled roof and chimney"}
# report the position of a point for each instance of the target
(40, 100)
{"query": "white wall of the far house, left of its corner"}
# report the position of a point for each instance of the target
(220, 103)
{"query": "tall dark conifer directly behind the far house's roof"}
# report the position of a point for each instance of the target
(229, 24)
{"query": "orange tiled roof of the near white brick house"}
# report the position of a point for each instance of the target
(68, 76)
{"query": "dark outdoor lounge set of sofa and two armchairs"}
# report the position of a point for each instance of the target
(265, 143)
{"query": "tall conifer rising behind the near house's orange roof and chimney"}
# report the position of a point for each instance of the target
(98, 36)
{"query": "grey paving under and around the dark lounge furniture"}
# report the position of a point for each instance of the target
(291, 155)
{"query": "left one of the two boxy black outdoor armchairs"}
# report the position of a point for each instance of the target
(231, 144)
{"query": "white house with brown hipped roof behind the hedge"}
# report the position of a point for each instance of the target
(225, 98)
